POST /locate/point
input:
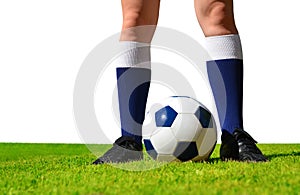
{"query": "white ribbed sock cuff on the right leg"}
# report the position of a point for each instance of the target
(224, 47)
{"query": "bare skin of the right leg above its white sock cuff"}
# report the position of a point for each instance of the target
(216, 17)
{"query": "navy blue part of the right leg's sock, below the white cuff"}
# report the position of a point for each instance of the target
(226, 80)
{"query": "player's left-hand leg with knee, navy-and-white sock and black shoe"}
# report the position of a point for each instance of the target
(133, 74)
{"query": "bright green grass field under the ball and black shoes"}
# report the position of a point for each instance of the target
(66, 169)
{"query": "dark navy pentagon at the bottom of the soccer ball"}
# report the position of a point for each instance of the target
(186, 151)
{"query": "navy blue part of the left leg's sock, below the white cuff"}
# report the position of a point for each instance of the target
(133, 87)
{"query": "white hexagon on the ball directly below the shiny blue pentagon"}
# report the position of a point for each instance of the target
(164, 141)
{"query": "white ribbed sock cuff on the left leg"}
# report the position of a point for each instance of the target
(134, 54)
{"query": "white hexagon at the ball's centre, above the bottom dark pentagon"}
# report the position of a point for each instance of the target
(186, 127)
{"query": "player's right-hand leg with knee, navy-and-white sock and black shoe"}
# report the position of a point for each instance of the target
(225, 72)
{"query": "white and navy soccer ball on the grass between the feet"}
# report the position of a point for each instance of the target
(179, 129)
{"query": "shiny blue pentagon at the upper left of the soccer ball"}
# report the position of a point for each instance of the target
(165, 117)
